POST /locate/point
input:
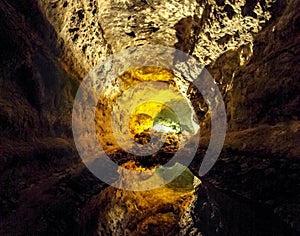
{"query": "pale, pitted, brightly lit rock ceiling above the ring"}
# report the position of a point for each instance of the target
(90, 30)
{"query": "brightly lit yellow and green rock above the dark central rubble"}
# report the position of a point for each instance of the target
(134, 116)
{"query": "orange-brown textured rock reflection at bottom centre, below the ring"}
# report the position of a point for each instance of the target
(153, 212)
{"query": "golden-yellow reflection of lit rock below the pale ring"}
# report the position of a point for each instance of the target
(160, 207)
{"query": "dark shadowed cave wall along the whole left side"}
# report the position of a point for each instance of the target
(40, 170)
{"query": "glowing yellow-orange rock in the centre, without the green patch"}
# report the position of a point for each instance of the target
(132, 104)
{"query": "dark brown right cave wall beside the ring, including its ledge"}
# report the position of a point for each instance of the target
(260, 88)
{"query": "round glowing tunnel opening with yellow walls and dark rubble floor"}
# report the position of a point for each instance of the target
(124, 117)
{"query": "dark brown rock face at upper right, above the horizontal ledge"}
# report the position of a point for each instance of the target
(269, 81)
